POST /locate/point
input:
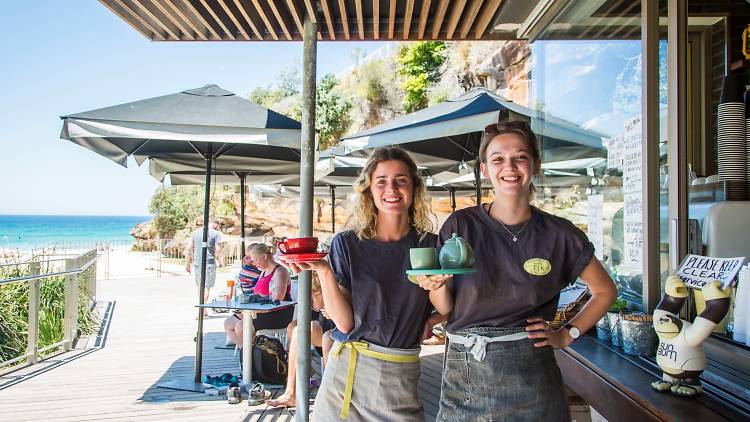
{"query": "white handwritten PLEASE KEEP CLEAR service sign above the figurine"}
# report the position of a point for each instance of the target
(696, 271)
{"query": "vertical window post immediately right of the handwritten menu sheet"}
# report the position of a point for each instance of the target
(650, 153)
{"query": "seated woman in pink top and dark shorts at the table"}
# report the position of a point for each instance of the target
(274, 282)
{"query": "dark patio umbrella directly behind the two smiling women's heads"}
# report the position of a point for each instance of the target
(448, 134)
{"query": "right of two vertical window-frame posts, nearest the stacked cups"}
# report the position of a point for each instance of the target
(677, 129)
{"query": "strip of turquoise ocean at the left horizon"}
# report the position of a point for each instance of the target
(34, 231)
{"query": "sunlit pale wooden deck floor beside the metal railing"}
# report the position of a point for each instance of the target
(148, 338)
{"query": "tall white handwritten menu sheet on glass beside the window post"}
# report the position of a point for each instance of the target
(631, 187)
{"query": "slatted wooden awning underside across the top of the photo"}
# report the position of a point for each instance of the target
(338, 20)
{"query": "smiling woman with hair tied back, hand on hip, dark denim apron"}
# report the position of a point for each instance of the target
(500, 363)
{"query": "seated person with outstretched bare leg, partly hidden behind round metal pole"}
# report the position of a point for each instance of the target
(320, 337)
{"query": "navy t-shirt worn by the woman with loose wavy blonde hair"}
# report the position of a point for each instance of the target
(389, 310)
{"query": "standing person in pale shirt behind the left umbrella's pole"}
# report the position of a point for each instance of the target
(194, 255)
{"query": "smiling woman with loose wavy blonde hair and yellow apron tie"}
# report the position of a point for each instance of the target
(379, 314)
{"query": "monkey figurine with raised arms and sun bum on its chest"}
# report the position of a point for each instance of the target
(680, 354)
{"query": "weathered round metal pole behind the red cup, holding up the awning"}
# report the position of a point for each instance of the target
(307, 172)
